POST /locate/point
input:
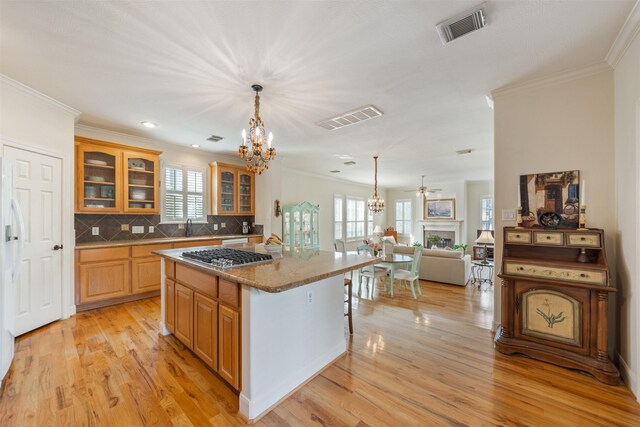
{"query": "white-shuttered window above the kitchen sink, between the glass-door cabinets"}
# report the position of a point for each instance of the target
(183, 195)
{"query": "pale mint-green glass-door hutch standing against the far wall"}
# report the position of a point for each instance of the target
(300, 226)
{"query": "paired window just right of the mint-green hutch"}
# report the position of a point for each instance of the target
(350, 218)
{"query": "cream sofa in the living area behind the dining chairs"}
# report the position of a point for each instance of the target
(441, 265)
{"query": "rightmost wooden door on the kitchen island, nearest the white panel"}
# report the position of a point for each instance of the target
(228, 342)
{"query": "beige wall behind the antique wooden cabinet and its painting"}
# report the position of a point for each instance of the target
(560, 124)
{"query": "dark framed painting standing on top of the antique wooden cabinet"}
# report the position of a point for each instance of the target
(550, 199)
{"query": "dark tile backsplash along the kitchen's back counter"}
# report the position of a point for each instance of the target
(111, 230)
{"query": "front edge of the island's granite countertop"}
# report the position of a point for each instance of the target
(284, 287)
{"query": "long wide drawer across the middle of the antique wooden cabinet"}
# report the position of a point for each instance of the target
(592, 277)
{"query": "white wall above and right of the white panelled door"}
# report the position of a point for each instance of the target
(30, 120)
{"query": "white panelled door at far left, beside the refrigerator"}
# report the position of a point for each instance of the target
(38, 190)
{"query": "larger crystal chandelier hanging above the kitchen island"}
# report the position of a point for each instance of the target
(257, 160)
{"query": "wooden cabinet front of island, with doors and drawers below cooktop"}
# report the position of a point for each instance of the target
(202, 311)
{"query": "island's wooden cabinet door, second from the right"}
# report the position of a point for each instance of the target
(205, 334)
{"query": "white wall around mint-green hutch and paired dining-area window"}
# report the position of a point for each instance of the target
(300, 187)
